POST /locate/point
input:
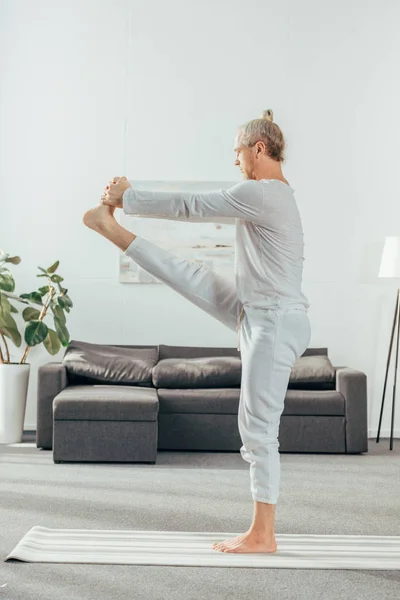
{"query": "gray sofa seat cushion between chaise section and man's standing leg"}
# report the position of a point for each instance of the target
(195, 401)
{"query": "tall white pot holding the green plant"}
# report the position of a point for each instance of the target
(14, 379)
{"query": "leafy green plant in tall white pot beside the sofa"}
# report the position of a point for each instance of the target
(50, 299)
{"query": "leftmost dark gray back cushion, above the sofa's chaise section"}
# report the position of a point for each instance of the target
(103, 363)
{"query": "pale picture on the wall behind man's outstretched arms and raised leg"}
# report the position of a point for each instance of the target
(209, 243)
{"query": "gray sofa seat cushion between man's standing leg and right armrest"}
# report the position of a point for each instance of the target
(309, 402)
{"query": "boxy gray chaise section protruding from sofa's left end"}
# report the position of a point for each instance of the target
(105, 423)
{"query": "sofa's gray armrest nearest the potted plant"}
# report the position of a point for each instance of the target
(52, 379)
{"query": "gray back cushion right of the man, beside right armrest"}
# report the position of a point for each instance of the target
(312, 372)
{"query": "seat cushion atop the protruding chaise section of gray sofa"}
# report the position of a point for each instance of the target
(105, 403)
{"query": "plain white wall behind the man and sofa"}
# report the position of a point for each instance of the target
(184, 75)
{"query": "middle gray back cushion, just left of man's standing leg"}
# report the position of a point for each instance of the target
(206, 372)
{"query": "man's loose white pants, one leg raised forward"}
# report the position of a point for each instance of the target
(272, 338)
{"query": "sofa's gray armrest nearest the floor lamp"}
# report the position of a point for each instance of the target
(352, 384)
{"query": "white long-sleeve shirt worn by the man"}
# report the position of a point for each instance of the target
(269, 235)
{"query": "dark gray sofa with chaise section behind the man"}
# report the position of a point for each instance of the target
(83, 420)
